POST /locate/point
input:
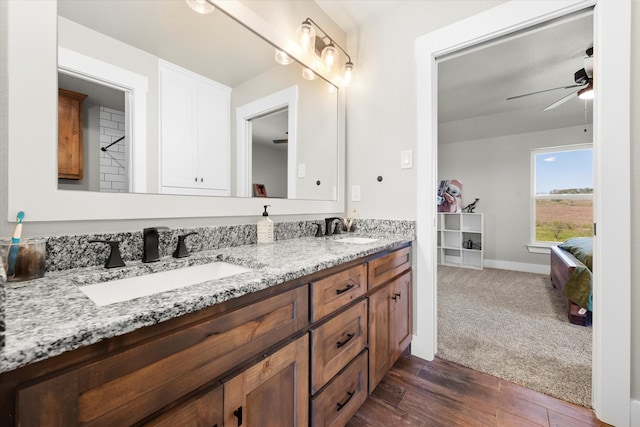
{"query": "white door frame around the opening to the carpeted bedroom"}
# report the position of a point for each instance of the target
(611, 320)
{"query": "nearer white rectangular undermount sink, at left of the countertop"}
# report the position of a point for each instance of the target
(126, 289)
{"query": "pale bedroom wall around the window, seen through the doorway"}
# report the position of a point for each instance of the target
(498, 171)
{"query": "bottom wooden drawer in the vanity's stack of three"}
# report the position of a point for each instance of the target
(337, 403)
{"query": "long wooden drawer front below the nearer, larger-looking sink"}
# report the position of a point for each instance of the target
(130, 385)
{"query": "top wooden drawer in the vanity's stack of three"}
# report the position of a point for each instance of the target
(337, 290)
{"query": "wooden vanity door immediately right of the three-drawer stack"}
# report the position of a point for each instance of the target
(380, 348)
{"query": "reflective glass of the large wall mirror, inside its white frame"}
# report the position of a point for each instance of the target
(190, 133)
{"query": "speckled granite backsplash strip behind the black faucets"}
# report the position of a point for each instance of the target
(75, 251)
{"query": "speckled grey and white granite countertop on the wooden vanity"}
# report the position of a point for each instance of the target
(48, 316)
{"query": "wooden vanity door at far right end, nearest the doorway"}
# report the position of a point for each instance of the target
(401, 314)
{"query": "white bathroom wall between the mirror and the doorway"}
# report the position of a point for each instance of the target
(381, 104)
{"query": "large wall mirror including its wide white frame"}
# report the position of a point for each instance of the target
(34, 47)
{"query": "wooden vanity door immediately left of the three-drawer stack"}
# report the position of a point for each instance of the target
(272, 393)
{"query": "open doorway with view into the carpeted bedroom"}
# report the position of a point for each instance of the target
(485, 142)
